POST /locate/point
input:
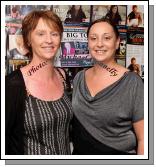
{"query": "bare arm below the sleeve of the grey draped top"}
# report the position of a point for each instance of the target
(139, 131)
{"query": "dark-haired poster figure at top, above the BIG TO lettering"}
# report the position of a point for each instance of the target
(75, 14)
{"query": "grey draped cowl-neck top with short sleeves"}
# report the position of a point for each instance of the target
(108, 116)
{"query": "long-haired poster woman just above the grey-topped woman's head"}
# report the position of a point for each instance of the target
(113, 15)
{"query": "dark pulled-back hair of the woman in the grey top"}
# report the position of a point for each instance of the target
(107, 21)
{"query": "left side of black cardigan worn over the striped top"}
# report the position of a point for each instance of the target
(15, 97)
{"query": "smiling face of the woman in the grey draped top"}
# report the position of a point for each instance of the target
(102, 42)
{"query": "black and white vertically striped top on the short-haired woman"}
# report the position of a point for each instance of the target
(47, 126)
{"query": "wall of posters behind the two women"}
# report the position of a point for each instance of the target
(73, 52)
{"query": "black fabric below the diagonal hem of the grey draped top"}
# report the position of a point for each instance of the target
(85, 144)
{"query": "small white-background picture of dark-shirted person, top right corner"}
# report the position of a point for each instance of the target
(135, 15)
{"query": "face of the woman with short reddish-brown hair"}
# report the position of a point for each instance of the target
(44, 40)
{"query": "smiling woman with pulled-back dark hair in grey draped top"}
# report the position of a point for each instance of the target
(107, 100)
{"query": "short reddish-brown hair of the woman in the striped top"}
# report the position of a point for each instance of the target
(30, 22)
